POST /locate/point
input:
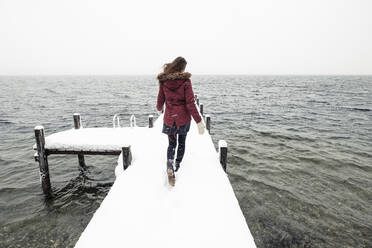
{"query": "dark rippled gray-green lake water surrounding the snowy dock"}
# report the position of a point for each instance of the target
(300, 154)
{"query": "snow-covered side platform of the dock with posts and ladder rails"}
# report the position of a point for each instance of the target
(86, 141)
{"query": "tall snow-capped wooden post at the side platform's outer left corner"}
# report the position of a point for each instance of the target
(43, 160)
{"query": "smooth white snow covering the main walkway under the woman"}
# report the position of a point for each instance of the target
(142, 210)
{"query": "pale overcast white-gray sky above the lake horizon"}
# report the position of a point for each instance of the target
(215, 37)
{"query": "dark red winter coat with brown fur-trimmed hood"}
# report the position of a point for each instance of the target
(176, 91)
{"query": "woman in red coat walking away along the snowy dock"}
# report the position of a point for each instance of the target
(176, 92)
